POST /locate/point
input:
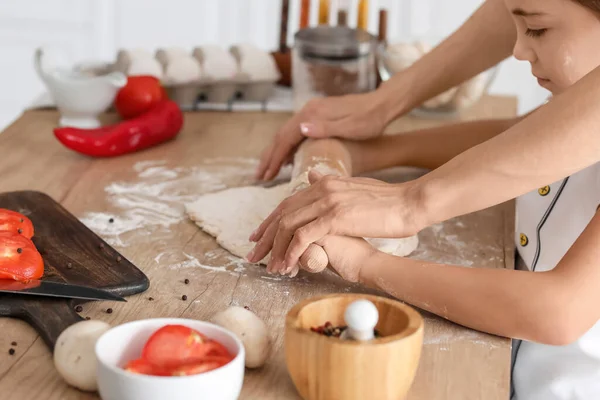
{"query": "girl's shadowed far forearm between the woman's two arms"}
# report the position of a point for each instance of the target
(426, 148)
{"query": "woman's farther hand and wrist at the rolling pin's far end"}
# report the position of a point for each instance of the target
(355, 117)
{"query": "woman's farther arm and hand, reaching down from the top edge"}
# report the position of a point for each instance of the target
(485, 39)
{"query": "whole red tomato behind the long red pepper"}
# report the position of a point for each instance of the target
(139, 95)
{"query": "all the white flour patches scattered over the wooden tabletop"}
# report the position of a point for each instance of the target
(147, 206)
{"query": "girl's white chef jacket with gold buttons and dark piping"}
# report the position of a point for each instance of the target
(549, 220)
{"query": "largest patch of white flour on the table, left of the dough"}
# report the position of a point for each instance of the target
(154, 201)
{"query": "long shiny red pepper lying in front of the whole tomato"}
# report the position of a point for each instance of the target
(161, 123)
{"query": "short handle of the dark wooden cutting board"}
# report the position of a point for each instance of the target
(49, 321)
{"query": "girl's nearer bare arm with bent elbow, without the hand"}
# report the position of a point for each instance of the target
(554, 307)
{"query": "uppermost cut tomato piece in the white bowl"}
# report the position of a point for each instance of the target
(173, 345)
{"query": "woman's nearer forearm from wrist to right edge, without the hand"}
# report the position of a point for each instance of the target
(558, 139)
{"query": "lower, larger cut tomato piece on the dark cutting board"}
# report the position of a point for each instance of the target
(19, 259)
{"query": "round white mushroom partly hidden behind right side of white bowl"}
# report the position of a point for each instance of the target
(250, 329)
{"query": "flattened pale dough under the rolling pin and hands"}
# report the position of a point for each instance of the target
(232, 214)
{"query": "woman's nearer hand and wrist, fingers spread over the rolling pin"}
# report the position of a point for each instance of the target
(358, 207)
